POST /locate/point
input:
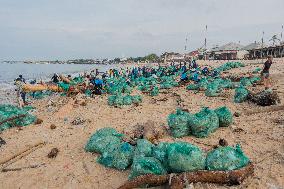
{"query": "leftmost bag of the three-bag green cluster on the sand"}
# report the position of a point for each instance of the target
(178, 124)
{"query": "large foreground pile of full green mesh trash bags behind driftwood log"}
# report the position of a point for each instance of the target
(161, 159)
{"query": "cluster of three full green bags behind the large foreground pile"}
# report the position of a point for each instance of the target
(201, 124)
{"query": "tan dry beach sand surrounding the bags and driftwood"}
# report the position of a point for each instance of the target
(262, 138)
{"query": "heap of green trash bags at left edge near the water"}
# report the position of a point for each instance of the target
(8, 111)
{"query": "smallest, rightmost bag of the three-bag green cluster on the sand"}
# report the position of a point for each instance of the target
(225, 116)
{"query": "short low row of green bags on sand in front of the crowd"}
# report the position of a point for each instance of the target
(121, 100)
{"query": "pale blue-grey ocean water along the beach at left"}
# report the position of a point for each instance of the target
(10, 71)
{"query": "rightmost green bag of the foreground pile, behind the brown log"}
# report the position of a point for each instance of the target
(226, 158)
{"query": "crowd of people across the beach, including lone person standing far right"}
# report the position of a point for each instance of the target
(95, 80)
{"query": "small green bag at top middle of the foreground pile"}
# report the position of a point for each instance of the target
(143, 148)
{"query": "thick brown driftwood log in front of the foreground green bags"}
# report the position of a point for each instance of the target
(177, 181)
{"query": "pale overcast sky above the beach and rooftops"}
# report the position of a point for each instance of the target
(67, 29)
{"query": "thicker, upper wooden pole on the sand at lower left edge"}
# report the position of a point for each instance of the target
(8, 161)
